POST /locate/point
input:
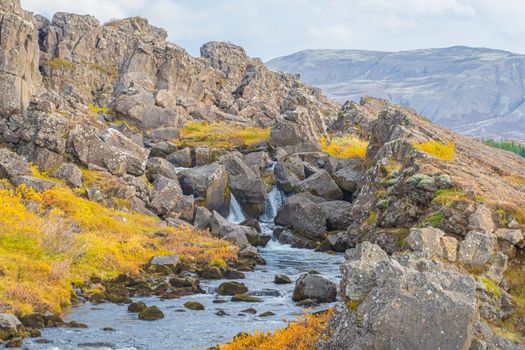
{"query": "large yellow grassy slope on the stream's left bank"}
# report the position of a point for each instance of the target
(53, 240)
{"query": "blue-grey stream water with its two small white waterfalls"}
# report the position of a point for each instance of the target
(185, 329)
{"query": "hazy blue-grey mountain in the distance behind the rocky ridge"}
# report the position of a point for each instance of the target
(475, 91)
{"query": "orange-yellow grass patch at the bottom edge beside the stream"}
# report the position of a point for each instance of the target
(302, 334)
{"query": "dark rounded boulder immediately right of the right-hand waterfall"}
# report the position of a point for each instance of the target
(303, 215)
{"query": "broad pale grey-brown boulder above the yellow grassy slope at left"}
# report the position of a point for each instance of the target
(109, 149)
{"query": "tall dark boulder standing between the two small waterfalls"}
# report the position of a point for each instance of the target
(246, 185)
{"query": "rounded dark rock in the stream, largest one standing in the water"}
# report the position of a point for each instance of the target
(310, 286)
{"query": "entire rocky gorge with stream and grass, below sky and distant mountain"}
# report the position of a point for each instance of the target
(216, 197)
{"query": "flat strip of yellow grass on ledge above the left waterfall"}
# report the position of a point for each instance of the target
(221, 135)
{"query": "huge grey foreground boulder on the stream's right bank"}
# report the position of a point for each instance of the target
(410, 303)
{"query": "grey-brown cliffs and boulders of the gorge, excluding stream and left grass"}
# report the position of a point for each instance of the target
(431, 223)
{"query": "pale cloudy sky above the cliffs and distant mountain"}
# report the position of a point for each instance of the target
(272, 28)
